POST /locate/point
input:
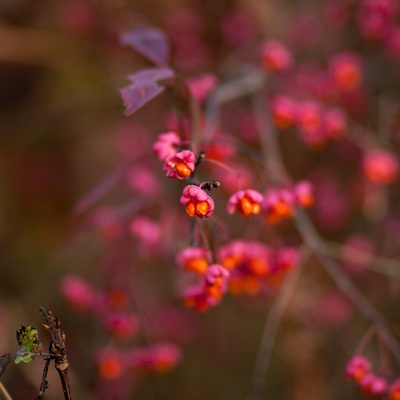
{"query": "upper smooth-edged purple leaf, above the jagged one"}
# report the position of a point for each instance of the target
(151, 43)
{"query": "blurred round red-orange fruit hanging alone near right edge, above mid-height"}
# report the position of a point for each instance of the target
(380, 166)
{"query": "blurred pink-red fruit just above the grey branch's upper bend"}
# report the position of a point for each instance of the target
(275, 56)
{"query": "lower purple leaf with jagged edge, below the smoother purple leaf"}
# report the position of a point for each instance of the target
(145, 87)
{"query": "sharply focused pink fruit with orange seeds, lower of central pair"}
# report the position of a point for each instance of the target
(197, 202)
